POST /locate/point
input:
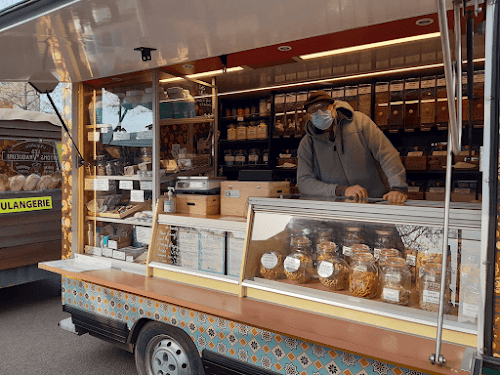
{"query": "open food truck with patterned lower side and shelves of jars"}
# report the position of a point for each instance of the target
(254, 285)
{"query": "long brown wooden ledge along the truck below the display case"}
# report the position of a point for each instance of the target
(390, 346)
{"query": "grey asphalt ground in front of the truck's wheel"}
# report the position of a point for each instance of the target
(31, 341)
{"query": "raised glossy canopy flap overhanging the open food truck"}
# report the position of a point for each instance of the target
(79, 40)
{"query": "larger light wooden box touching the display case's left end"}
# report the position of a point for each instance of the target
(235, 194)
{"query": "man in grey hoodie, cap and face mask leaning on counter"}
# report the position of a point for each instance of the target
(345, 154)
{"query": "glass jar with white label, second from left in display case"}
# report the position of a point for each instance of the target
(298, 264)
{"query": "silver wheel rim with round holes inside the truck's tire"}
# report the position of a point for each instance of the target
(167, 357)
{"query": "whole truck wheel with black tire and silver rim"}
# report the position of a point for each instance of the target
(162, 349)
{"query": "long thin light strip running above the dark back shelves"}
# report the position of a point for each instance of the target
(343, 78)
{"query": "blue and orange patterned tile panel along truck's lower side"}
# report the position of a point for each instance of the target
(272, 351)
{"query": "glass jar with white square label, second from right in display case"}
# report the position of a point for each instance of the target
(395, 282)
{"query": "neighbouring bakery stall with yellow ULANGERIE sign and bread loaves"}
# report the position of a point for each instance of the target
(30, 195)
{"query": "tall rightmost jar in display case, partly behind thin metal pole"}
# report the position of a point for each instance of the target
(430, 288)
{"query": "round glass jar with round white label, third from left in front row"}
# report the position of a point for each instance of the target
(333, 272)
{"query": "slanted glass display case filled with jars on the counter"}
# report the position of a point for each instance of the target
(399, 284)
